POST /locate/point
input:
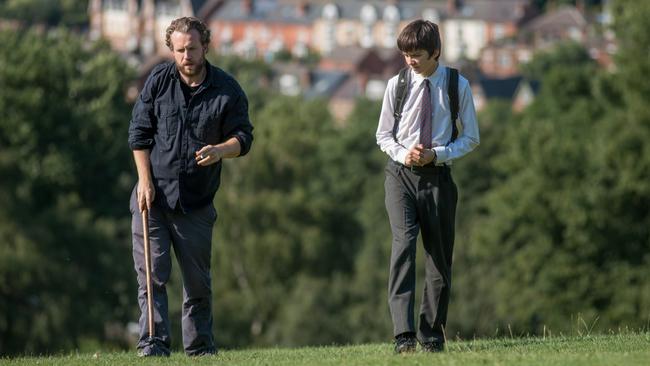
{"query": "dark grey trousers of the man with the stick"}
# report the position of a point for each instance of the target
(190, 235)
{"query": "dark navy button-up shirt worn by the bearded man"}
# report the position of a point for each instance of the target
(174, 130)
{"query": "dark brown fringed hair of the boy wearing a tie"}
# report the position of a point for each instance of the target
(420, 35)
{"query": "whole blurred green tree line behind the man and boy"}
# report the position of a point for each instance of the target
(553, 221)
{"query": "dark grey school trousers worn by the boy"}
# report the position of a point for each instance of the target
(420, 200)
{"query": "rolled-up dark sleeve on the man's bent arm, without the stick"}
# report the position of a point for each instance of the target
(237, 124)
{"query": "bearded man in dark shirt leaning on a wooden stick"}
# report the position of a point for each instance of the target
(189, 116)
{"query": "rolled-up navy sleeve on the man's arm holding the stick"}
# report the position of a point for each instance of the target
(143, 120)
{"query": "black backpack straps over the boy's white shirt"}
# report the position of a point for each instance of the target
(403, 81)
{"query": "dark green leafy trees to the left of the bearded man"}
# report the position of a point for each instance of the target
(65, 268)
